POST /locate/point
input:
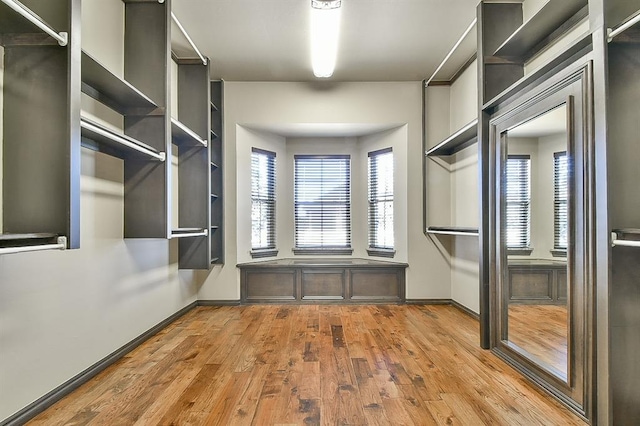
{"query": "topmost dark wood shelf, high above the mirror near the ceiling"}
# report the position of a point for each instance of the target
(541, 25)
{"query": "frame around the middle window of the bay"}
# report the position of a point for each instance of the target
(297, 204)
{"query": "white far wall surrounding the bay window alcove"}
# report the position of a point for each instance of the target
(260, 105)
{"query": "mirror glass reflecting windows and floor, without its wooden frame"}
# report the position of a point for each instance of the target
(535, 239)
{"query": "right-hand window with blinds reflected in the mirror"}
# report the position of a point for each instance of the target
(560, 200)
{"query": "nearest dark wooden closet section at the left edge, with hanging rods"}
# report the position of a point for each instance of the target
(41, 131)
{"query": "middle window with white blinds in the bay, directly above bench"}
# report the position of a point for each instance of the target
(322, 202)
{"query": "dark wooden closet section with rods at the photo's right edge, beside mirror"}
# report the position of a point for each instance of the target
(622, 19)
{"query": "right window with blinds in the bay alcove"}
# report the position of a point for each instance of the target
(381, 199)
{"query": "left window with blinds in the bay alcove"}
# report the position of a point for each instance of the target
(263, 199)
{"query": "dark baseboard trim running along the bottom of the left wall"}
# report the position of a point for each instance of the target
(46, 401)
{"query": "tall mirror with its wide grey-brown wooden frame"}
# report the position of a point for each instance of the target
(540, 218)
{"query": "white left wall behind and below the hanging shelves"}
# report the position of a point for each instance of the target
(62, 311)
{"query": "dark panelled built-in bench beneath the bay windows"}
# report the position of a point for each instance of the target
(349, 280)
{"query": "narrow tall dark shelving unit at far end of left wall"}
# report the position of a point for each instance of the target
(216, 235)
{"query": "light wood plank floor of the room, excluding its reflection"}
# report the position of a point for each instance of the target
(311, 365)
